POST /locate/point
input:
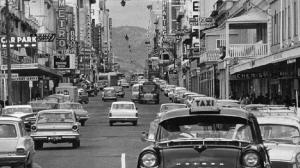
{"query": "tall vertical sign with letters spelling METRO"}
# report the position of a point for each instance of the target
(62, 34)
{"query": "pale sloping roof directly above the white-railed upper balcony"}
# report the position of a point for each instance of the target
(254, 16)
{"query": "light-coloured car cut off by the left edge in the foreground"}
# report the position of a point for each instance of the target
(16, 146)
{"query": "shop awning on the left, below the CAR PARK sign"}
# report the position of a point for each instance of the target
(33, 70)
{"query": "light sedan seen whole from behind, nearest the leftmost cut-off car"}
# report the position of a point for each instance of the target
(55, 126)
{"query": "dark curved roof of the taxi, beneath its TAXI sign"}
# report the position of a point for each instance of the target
(185, 112)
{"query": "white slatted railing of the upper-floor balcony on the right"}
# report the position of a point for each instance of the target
(248, 50)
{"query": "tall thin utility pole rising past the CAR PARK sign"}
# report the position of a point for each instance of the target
(8, 53)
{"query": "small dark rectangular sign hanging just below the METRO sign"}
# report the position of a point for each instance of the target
(66, 61)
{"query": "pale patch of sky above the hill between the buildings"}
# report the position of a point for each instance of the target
(134, 13)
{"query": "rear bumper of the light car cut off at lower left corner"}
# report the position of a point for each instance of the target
(12, 160)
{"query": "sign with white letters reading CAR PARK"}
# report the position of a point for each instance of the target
(14, 41)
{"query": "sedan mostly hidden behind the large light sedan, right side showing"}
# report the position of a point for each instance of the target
(81, 114)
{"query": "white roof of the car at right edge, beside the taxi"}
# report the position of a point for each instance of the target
(280, 120)
